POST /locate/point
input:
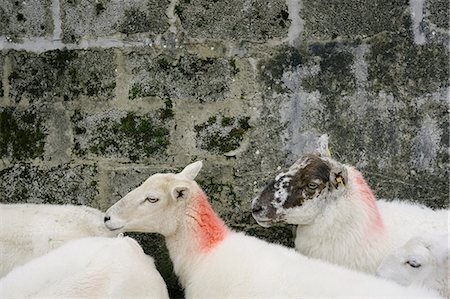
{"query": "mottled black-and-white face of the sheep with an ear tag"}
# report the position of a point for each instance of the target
(300, 194)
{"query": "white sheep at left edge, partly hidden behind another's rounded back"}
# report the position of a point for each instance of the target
(31, 230)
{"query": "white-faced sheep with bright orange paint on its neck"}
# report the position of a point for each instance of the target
(213, 261)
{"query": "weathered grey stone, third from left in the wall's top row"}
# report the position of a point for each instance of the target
(258, 20)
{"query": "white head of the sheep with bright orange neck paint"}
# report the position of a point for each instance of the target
(153, 207)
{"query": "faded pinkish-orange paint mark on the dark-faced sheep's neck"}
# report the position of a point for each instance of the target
(369, 198)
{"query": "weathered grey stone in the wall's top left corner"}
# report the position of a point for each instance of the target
(25, 19)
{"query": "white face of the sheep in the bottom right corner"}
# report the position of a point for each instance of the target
(411, 264)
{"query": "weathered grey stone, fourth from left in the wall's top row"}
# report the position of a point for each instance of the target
(347, 18)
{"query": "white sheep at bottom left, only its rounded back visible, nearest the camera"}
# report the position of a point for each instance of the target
(93, 267)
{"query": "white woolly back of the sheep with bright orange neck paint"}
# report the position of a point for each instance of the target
(243, 266)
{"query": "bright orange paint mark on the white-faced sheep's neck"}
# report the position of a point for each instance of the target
(211, 229)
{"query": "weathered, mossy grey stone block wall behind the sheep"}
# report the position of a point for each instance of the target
(95, 96)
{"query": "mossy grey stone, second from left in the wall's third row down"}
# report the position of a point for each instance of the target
(120, 134)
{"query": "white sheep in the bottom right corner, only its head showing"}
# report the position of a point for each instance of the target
(422, 261)
